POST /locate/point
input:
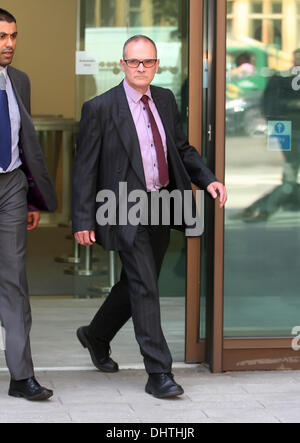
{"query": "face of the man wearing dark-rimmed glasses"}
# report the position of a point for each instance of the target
(140, 78)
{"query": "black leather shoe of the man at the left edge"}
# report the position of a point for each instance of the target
(29, 389)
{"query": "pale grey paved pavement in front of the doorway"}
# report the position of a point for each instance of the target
(87, 396)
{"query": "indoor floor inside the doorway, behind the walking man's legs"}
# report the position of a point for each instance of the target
(55, 321)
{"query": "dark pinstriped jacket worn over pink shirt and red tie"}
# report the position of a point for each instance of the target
(108, 152)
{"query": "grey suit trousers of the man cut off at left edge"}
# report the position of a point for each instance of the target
(15, 313)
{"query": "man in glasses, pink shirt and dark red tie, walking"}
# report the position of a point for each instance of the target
(132, 134)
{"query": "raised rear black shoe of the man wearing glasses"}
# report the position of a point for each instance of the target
(103, 363)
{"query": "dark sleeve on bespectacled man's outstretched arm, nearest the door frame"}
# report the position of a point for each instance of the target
(199, 173)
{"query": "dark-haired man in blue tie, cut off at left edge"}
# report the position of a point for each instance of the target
(25, 189)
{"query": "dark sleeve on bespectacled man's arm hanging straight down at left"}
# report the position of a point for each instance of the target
(86, 170)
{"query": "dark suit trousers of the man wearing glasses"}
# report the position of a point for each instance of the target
(136, 295)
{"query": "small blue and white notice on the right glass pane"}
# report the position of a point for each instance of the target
(280, 136)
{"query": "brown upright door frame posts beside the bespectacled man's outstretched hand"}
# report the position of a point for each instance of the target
(196, 349)
